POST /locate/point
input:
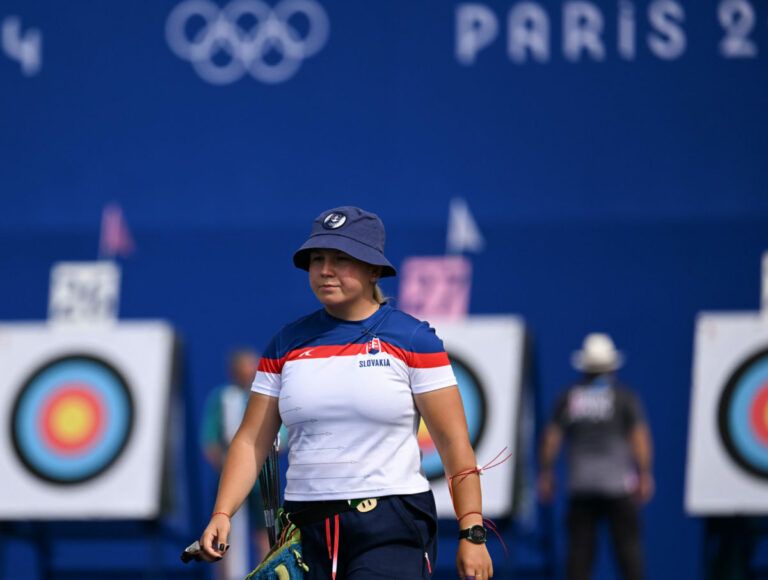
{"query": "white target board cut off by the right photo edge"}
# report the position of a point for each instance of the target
(727, 467)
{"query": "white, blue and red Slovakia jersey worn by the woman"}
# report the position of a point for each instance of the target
(346, 398)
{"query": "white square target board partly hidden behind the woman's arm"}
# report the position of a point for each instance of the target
(486, 354)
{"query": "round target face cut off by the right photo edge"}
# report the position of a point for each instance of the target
(743, 415)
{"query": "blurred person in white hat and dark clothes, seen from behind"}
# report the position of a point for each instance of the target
(609, 460)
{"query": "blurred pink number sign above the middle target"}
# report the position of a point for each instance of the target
(435, 286)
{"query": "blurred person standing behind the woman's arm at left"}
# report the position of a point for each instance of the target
(222, 415)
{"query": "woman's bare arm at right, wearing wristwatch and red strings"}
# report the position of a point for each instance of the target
(443, 414)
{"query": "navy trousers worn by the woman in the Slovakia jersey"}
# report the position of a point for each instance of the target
(397, 540)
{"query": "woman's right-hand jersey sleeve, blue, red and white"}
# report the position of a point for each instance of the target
(428, 365)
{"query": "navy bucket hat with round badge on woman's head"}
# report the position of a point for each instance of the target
(352, 230)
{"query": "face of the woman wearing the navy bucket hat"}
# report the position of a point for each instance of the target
(343, 284)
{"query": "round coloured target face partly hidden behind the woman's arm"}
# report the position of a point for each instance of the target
(473, 398)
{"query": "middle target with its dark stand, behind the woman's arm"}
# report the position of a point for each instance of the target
(491, 359)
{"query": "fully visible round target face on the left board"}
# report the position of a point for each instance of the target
(71, 419)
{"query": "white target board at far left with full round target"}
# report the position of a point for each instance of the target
(85, 412)
